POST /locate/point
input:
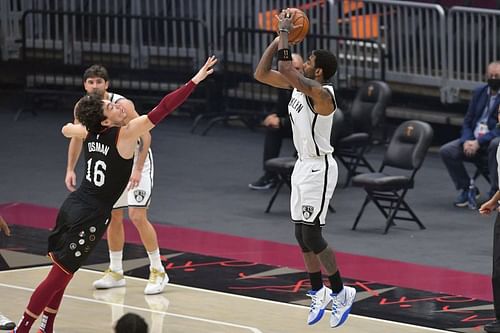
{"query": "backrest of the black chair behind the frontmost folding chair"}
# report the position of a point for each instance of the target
(368, 107)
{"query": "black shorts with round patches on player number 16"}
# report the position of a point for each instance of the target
(79, 227)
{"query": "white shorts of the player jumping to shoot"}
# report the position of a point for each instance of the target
(313, 182)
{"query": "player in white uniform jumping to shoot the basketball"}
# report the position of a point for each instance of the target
(315, 174)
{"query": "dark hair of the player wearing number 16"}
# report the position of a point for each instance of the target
(89, 111)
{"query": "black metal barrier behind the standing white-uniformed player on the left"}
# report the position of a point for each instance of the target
(142, 53)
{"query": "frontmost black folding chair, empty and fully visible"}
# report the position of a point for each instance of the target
(406, 151)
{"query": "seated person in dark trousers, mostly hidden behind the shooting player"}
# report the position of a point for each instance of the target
(278, 127)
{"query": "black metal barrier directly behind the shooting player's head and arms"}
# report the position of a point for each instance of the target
(245, 99)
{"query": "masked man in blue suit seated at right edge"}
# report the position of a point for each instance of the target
(480, 137)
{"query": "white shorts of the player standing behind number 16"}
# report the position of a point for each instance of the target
(139, 196)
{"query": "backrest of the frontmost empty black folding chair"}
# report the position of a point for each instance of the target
(409, 145)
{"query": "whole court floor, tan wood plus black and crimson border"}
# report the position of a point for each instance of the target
(221, 283)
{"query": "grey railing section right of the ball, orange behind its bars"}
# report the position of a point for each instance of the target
(411, 33)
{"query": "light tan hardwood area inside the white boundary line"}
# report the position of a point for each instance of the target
(179, 309)
